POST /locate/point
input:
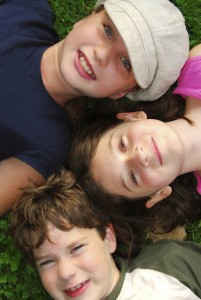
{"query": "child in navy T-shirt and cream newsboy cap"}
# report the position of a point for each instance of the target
(106, 54)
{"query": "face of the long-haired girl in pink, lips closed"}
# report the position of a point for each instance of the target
(138, 158)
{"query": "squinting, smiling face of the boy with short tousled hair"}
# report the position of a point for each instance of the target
(77, 264)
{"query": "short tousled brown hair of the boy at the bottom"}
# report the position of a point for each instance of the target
(62, 202)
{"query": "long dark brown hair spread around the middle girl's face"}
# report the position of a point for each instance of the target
(179, 207)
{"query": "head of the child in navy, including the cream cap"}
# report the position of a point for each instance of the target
(125, 47)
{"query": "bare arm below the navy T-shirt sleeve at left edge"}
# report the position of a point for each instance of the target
(15, 175)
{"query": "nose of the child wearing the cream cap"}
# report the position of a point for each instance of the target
(103, 53)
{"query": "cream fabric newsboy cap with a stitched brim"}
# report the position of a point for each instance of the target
(156, 39)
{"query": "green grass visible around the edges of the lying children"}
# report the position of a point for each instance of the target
(17, 279)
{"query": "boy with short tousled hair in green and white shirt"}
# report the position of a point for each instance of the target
(71, 244)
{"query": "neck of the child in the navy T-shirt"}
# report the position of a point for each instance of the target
(55, 85)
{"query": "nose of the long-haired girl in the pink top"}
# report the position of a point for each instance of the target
(138, 157)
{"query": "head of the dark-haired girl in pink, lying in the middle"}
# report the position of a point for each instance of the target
(104, 150)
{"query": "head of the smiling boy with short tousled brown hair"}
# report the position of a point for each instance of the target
(67, 239)
